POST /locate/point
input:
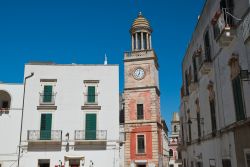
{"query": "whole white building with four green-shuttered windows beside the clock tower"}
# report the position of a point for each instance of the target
(71, 116)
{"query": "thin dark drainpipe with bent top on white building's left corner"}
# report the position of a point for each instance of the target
(21, 129)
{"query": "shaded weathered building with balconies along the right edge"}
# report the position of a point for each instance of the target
(215, 108)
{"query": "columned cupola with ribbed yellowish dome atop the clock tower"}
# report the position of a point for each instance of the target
(141, 34)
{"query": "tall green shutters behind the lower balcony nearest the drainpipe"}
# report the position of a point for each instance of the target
(45, 129)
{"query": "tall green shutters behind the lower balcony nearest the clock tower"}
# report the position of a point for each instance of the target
(90, 130)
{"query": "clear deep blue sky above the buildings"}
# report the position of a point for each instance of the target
(82, 31)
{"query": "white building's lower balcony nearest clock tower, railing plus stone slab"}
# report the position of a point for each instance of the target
(88, 137)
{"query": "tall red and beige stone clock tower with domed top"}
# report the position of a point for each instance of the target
(143, 139)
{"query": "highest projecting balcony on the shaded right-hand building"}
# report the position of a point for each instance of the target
(224, 30)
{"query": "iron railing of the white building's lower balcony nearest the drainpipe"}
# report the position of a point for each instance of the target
(42, 135)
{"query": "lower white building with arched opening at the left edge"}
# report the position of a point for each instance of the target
(10, 121)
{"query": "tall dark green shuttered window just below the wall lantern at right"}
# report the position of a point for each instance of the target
(238, 98)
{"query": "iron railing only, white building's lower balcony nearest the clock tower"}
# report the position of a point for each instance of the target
(93, 135)
